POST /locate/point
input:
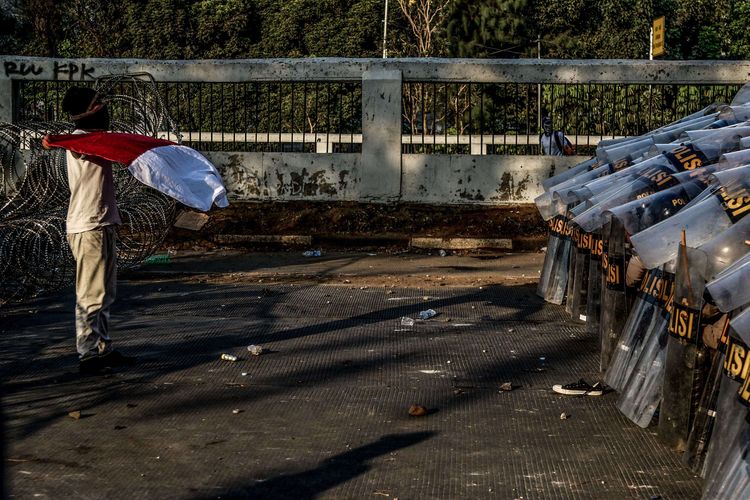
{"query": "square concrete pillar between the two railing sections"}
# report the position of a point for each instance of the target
(381, 136)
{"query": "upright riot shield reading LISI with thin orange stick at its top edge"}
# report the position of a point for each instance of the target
(685, 362)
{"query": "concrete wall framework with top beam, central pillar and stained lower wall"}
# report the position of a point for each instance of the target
(380, 173)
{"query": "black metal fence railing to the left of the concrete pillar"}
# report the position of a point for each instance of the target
(305, 117)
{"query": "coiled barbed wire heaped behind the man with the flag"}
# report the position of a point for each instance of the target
(34, 193)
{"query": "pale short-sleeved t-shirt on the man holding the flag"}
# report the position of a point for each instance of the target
(92, 193)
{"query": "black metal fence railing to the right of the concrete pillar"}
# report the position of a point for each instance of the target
(504, 118)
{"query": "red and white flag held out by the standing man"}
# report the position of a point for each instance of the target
(175, 170)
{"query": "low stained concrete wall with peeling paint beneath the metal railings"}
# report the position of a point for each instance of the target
(440, 179)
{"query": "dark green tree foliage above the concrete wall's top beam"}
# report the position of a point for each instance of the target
(192, 29)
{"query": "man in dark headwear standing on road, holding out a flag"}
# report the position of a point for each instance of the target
(91, 232)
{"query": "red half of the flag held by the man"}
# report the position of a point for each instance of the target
(113, 146)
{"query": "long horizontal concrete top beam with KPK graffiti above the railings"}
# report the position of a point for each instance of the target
(435, 69)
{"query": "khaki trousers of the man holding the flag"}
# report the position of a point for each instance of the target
(96, 282)
